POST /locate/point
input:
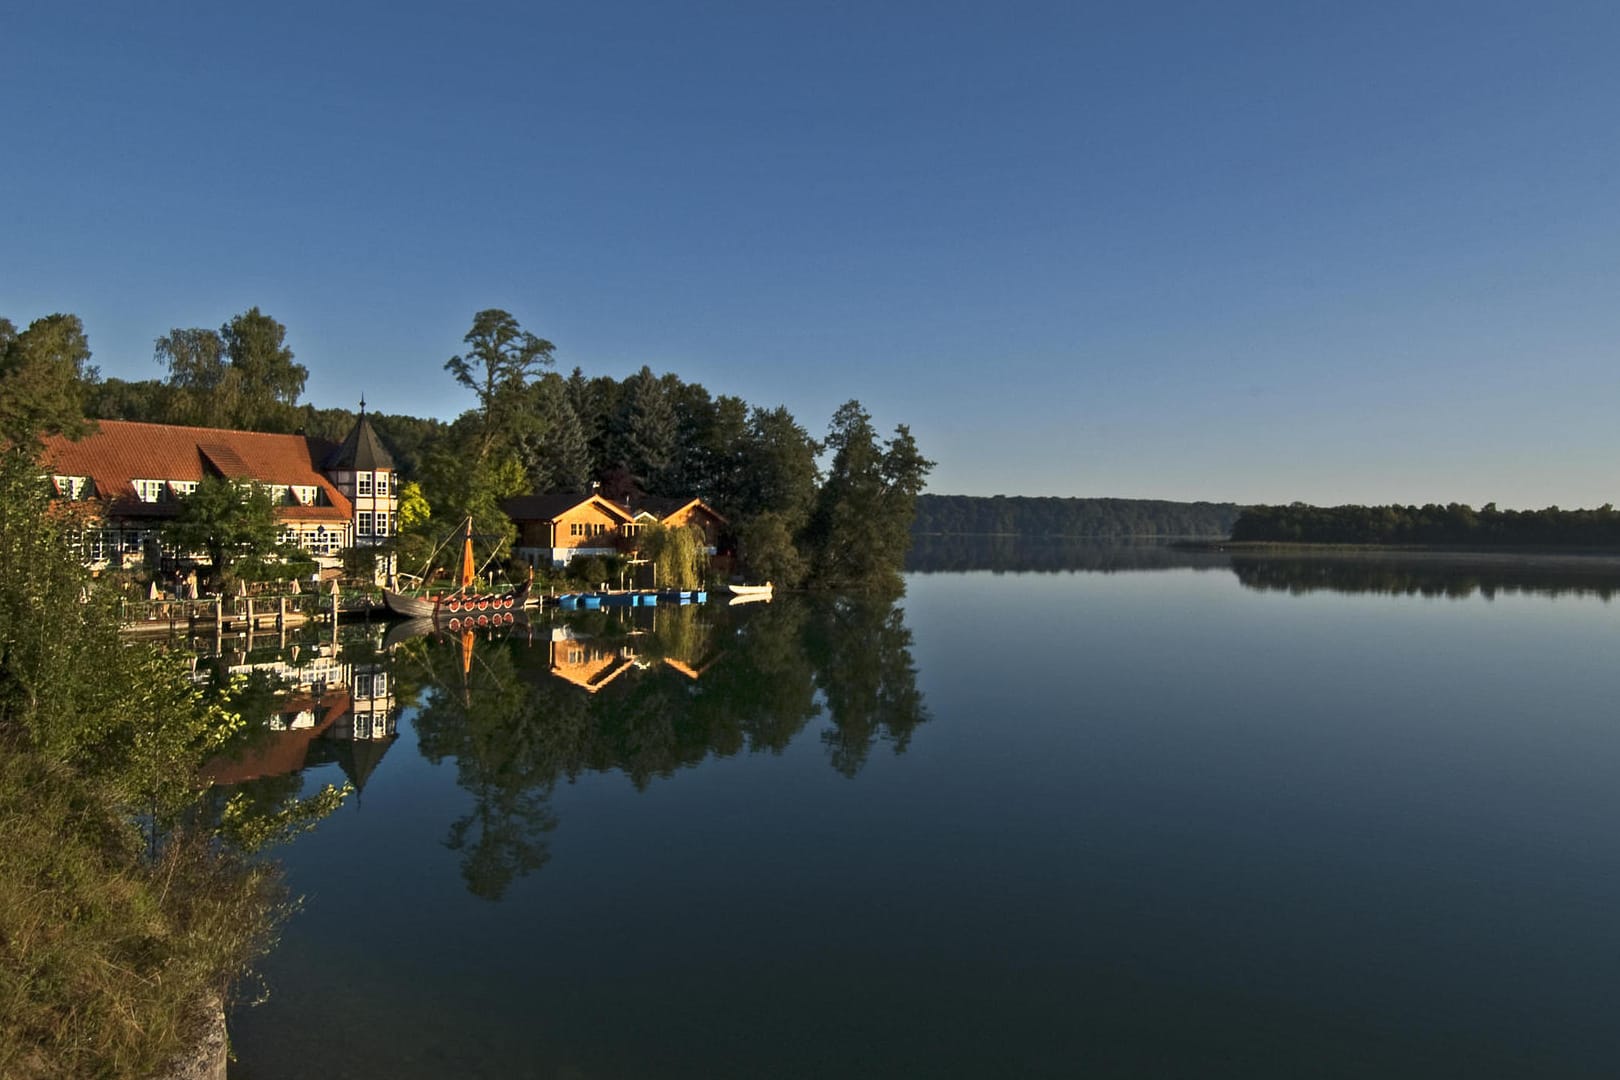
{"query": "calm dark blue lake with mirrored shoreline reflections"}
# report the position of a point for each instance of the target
(1170, 815)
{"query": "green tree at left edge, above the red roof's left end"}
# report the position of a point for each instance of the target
(45, 380)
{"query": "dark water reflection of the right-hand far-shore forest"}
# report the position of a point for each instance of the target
(1454, 577)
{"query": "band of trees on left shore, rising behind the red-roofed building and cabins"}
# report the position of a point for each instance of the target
(830, 512)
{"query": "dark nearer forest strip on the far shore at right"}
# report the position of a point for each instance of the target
(1433, 524)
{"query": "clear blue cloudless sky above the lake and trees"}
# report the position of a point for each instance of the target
(1253, 252)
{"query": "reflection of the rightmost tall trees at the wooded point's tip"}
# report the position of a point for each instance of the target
(864, 670)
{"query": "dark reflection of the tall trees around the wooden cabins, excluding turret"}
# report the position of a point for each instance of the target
(746, 681)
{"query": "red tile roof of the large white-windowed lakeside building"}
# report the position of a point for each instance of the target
(122, 453)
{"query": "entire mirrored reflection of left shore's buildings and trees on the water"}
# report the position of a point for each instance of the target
(636, 692)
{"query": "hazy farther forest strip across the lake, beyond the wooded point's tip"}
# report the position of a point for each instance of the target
(1101, 519)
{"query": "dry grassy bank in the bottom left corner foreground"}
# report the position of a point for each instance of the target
(106, 948)
